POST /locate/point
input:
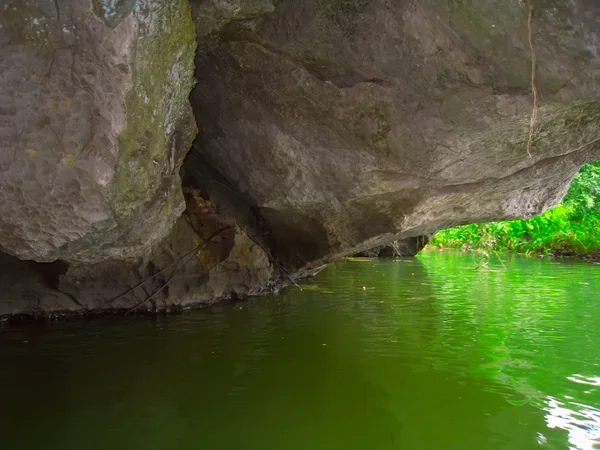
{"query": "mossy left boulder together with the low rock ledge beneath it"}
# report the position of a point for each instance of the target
(95, 122)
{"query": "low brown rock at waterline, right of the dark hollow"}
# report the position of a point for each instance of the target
(174, 277)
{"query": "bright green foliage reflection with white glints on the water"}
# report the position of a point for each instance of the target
(530, 337)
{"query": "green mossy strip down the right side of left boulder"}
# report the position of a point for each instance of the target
(160, 124)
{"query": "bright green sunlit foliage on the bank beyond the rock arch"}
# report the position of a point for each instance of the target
(570, 228)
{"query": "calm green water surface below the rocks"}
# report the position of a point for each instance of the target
(438, 352)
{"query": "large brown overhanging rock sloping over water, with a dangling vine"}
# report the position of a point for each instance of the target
(348, 124)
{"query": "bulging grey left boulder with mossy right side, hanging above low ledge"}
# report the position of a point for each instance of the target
(94, 124)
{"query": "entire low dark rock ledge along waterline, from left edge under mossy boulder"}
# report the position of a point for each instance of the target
(163, 282)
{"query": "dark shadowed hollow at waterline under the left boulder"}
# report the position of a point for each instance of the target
(28, 287)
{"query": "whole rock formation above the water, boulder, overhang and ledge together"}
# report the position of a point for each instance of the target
(326, 128)
